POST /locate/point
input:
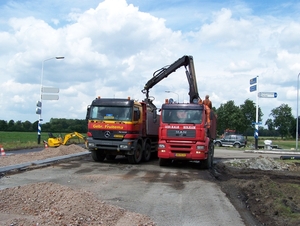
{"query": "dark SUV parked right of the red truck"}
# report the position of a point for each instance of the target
(233, 140)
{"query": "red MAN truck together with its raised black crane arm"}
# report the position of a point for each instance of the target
(186, 130)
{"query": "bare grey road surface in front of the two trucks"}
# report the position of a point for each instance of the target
(177, 195)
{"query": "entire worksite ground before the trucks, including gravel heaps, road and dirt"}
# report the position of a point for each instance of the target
(82, 192)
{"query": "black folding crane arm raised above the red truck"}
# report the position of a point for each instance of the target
(188, 63)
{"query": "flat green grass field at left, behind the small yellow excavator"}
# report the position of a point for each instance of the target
(19, 140)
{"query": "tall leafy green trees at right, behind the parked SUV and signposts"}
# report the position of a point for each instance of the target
(240, 118)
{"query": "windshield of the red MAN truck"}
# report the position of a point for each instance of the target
(182, 116)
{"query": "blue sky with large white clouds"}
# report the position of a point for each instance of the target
(111, 49)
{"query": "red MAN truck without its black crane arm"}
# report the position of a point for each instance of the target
(186, 132)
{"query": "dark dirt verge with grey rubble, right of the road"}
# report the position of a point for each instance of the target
(268, 188)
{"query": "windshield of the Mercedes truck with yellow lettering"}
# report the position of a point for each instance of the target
(116, 113)
